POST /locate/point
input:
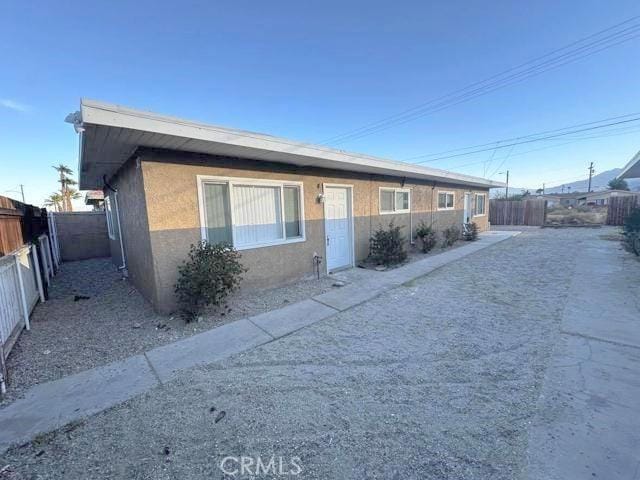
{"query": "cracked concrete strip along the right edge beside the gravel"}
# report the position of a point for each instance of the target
(588, 420)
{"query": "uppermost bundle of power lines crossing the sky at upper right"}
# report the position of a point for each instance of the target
(610, 40)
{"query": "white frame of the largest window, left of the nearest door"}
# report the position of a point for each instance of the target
(230, 182)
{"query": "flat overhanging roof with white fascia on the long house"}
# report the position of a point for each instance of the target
(110, 134)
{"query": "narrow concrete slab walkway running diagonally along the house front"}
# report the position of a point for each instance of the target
(51, 405)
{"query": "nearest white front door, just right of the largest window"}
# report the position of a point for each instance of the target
(337, 227)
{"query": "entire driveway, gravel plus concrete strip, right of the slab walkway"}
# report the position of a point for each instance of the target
(504, 364)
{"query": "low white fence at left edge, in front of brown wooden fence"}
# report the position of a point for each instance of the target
(20, 289)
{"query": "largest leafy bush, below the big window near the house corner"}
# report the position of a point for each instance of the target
(211, 273)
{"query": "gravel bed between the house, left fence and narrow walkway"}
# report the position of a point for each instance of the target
(116, 322)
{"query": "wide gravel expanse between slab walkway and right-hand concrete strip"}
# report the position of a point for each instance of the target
(433, 380)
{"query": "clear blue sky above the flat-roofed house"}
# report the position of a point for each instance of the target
(313, 70)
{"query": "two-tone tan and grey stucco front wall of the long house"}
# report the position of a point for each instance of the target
(171, 202)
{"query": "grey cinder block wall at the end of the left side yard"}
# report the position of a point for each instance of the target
(82, 235)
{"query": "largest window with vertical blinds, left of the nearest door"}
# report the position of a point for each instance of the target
(250, 213)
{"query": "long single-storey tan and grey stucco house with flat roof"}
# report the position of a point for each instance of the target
(170, 183)
